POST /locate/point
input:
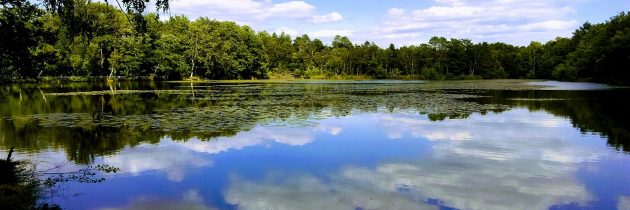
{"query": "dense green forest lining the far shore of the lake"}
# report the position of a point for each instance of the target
(93, 39)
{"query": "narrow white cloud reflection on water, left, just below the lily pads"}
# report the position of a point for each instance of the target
(173, 158)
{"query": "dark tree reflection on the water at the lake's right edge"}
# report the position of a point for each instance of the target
(589, 111)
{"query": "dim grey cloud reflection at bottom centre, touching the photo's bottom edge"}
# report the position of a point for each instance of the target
(309, 192)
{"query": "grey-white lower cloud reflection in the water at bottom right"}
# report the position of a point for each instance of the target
(473, 183)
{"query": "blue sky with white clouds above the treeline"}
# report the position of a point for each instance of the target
(407, 22)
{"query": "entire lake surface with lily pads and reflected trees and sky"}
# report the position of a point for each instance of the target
(327, 145)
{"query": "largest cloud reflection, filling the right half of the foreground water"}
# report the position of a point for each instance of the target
(476, 163)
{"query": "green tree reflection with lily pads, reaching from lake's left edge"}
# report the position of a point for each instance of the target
(128, 119)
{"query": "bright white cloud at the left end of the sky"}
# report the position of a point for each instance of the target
(263, 14)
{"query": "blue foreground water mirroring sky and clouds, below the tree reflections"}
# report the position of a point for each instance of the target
(512, 160)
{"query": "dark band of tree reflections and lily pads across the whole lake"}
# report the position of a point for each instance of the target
(88, 124)
